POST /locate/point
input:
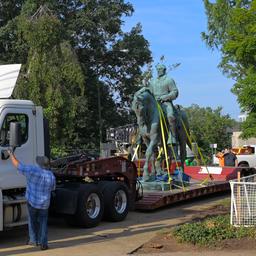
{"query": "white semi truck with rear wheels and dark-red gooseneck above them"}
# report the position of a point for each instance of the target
(83, 203)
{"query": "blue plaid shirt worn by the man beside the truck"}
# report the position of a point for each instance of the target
(40, 183)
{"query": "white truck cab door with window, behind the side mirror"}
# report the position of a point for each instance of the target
(9, 178)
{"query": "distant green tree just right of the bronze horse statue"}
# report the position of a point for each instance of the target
(209, 126)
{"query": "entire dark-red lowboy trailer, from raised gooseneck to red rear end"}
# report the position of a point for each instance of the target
(204, 180)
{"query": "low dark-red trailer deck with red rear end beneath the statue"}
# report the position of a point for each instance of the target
(205, 180)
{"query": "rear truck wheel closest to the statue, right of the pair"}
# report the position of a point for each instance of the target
(116, 201)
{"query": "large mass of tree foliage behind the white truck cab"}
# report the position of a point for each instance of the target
(74, 54)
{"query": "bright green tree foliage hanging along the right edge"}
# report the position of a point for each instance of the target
(231, 29)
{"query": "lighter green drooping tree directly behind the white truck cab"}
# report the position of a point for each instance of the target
(53, 73)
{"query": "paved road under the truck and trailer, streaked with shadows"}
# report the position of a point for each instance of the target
(113, 239)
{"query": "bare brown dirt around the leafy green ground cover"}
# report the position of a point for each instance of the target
(163, 242)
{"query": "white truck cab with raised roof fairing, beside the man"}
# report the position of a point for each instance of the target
(13, 211)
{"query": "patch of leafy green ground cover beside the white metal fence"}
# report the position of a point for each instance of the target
(211, 231)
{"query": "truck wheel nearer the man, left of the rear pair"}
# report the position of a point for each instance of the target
(90, 206)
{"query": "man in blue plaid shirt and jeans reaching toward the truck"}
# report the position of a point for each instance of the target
(40, 184)
